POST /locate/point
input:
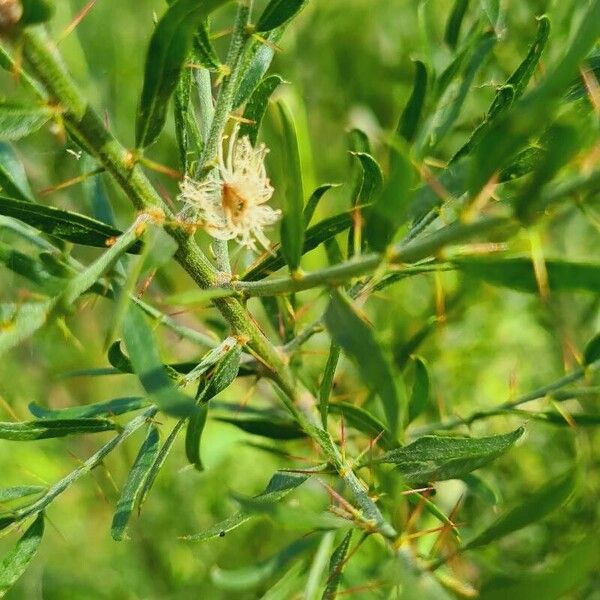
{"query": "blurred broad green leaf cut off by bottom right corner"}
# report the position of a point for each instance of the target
(580, 562)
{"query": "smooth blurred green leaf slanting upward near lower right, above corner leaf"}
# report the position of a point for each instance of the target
(536, 506)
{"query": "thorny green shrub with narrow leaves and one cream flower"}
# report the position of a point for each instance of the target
(530, 154)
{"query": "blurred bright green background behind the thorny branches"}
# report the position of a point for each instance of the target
(349, 64)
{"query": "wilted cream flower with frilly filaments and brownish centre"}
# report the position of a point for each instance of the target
(231, 201)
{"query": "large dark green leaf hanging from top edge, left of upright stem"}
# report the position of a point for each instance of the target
(168, 49)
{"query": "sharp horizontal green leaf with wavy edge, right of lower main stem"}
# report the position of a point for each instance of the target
(436, 458)
